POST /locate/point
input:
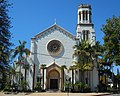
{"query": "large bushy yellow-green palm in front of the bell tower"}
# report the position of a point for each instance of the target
(83, 57)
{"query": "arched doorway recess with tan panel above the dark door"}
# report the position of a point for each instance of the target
(53, 79)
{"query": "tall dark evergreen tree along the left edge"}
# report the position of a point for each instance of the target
(5, 37)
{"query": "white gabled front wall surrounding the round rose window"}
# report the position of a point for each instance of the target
(41, 55)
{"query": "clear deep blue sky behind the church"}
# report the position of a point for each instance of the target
(29, 17)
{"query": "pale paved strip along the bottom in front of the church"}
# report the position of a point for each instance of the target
(58, 94)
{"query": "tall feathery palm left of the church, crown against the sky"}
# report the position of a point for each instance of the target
(19, 51)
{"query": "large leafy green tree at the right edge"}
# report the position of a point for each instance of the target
(111, 38)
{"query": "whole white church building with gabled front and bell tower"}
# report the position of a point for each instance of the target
(52, 49)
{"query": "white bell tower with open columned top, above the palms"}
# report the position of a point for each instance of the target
(85, 27)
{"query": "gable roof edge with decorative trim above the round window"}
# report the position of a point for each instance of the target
(56, 27)
